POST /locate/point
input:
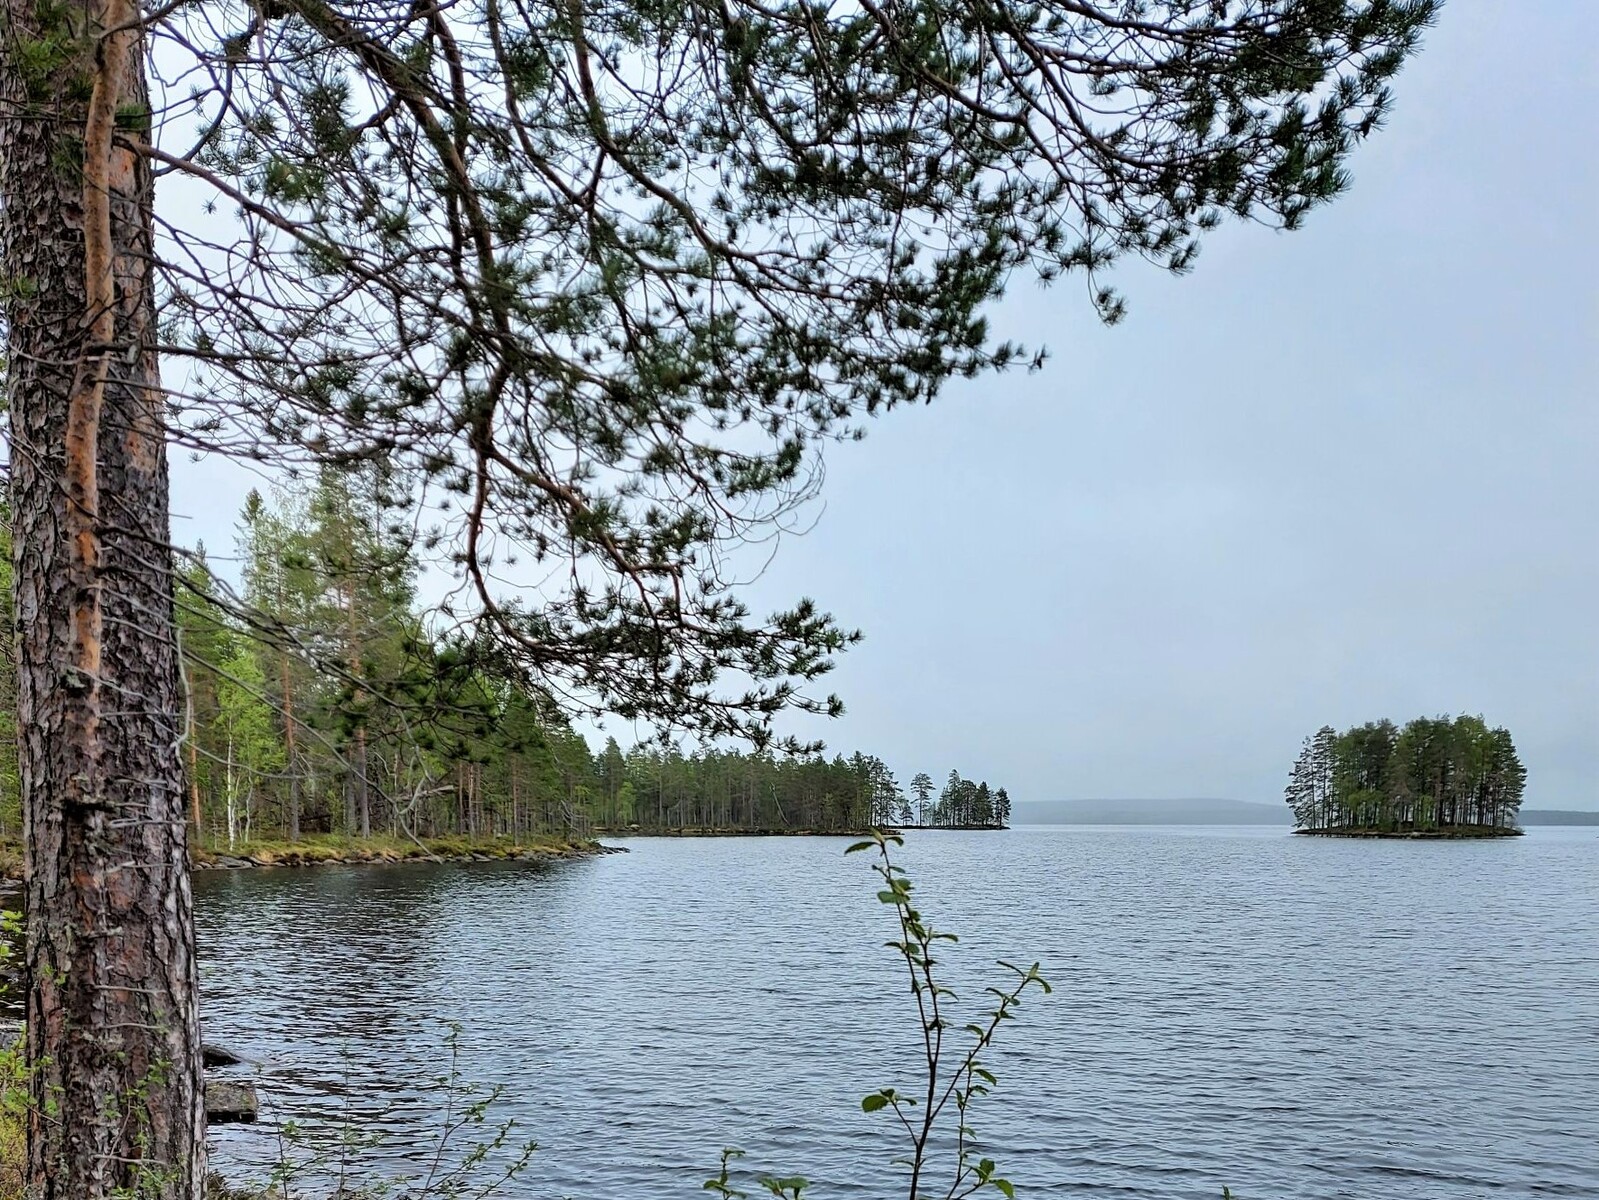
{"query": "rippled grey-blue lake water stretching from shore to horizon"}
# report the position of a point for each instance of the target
(1293, 1018)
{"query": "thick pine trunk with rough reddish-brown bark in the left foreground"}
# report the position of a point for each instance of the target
(113, 1023)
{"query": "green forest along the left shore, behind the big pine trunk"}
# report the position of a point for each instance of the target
(317, 702)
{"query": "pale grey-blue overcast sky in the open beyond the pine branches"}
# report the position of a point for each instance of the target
(1331, 476)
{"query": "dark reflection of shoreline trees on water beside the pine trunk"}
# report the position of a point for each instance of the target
(329, 978)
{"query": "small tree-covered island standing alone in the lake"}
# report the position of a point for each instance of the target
(1437, 777)
